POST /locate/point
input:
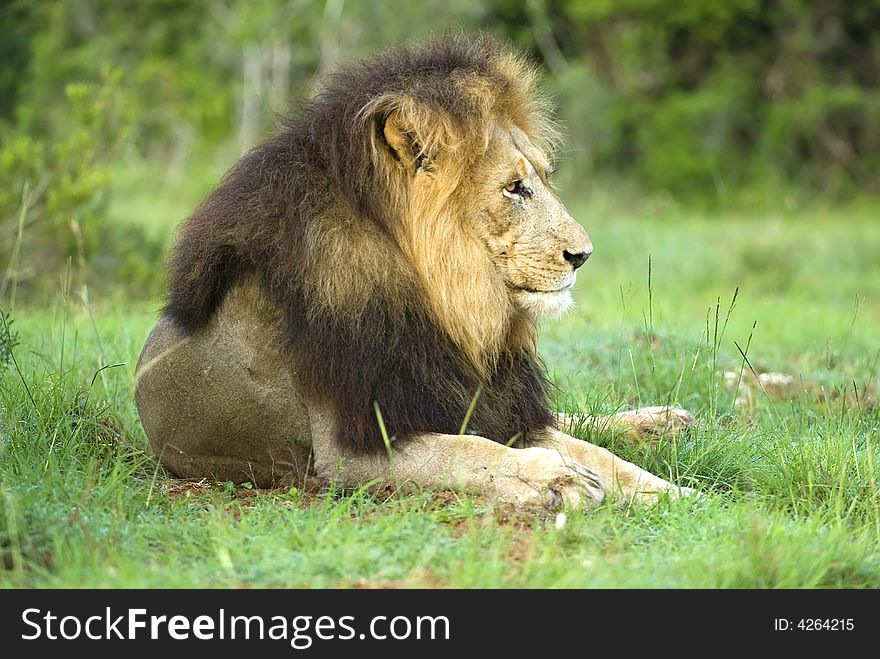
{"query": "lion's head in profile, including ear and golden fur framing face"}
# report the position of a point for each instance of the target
(466, 152)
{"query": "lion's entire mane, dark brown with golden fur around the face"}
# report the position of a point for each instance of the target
(384, 298)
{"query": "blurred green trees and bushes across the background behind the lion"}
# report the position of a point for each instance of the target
(720, 103)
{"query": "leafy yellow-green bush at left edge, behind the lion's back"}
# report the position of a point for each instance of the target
(54, 208)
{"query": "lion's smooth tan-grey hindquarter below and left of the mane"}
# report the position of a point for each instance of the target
(220, 403)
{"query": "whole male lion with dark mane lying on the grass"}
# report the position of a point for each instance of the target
(365, 283)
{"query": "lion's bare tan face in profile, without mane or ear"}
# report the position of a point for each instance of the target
(534, 243)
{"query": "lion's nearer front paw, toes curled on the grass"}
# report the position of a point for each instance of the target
(549, 480)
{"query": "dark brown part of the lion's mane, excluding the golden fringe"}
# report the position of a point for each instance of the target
(310, 206)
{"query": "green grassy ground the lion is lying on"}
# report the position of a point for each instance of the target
(791, 468)
